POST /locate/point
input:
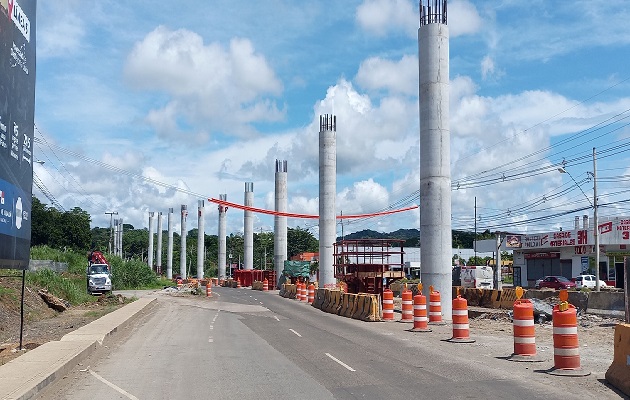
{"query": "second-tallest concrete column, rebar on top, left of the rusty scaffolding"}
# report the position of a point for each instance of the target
(327, 194)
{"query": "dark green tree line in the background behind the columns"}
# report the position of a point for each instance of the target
(71, 230)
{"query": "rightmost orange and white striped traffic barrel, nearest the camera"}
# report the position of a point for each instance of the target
(566, 350)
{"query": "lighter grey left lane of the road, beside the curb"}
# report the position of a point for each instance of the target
(189, 348)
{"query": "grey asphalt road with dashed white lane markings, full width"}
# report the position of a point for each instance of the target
(245, 344)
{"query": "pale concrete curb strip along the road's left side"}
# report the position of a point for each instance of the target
(24, 377)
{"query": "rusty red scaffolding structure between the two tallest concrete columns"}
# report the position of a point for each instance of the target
(369, 265)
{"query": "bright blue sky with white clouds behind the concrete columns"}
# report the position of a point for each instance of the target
(150, 105)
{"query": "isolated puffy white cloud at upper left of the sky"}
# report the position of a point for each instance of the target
(209, 86)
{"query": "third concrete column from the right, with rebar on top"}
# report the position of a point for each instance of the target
(280, 223)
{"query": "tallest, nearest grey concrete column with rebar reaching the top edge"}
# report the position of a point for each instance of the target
(435, 161)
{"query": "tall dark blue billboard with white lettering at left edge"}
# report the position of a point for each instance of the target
(17, 103)
